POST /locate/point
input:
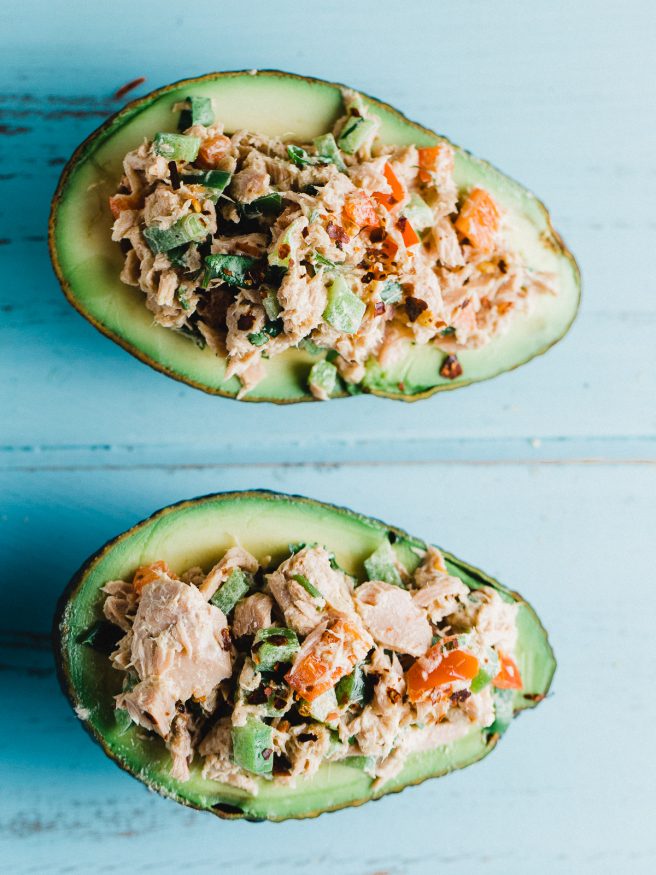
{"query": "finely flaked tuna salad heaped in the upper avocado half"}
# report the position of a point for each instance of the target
(348, 248)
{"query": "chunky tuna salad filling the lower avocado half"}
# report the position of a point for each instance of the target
(258, 671)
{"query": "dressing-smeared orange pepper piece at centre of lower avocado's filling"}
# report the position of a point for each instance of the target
(315, 671)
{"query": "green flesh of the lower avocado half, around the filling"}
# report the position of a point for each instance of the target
(198, 532)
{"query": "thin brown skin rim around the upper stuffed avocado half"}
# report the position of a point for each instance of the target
(405, 388)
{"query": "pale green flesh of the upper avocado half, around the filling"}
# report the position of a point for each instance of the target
(88, 263)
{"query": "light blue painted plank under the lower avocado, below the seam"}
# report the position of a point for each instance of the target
(567, 790)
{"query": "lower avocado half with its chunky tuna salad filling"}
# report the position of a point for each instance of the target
(267, 656)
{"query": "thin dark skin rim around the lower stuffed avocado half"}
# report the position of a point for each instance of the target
(62, 630)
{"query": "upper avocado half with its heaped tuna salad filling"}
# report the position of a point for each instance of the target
(271, 237)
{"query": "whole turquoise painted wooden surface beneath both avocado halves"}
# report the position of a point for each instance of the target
(545, 477)
